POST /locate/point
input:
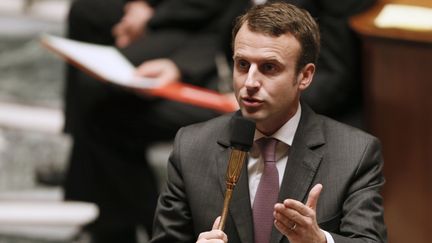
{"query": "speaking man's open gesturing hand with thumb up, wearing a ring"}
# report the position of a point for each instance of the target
(298, 221)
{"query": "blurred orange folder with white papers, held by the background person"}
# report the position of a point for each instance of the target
(106, 63)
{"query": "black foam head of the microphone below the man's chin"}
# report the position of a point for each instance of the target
(242, 133)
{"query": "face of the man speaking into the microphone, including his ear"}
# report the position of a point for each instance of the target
(266, 84)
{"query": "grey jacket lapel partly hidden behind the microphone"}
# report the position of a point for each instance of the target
(240, 211)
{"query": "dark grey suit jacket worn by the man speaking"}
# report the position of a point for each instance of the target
(345, 160)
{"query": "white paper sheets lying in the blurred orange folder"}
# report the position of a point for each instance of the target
(105, 61)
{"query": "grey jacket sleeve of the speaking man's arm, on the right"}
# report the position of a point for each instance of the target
(363, 219)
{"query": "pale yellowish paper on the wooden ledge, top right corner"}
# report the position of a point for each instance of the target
(405, 17)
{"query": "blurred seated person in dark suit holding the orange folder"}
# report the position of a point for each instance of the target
(111, 127)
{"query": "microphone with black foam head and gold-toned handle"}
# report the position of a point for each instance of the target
(242, 135)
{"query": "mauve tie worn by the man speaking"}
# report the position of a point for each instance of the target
(267, 192)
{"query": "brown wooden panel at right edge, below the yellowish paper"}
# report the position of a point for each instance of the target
(398, 88)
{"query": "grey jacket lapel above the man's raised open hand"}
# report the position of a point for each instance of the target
(303, 162)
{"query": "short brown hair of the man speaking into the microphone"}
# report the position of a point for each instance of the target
(278, 18)
